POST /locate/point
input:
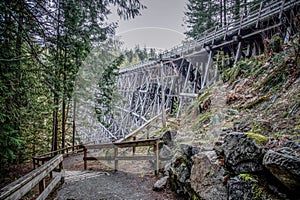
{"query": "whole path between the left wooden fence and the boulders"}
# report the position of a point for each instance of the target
(103, 183)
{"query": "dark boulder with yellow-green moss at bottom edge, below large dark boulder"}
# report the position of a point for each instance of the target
(246, 186)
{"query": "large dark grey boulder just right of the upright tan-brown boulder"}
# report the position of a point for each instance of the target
(242, 153)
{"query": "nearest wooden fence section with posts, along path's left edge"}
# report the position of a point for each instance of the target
(22, 186)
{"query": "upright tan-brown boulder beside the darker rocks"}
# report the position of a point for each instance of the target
(207, 176)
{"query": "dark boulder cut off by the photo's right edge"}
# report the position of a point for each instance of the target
(284, 164)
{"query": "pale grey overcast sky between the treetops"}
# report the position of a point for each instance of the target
(160, 26)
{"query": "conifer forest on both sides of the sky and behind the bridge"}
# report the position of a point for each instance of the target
(43, 45)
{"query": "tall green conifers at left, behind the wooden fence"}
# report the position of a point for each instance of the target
(42, 45)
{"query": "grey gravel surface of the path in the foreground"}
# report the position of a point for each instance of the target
(114, 186)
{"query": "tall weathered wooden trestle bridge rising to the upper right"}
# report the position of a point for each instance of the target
(185, 70)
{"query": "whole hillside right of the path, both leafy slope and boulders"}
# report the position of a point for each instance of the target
(240, 137)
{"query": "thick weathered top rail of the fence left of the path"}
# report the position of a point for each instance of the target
(20, 187)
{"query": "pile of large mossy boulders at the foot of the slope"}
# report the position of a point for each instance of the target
(240, 166)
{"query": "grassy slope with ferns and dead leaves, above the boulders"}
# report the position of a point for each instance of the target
(262, 95)
